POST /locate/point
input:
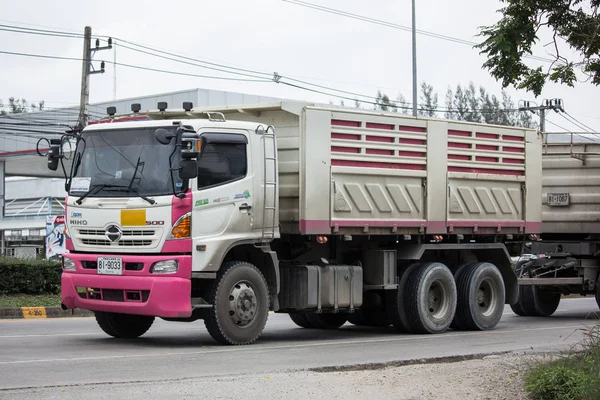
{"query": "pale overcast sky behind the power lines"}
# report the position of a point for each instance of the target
(267, 36)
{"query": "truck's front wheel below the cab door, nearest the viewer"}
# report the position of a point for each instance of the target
(240, 300)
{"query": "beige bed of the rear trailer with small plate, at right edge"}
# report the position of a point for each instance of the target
(571, 187)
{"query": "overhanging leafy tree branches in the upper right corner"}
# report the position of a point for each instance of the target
(512, 38)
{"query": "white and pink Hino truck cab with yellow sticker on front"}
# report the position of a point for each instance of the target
(152, 203)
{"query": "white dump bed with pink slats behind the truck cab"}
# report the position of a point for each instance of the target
(352, 171)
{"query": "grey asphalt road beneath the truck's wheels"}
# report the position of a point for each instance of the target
(73, 352)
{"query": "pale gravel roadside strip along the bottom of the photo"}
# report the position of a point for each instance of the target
(495, 377)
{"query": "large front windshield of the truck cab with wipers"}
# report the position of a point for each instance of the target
(114, 163)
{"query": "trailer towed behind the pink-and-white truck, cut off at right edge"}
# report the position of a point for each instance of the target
(566, 256)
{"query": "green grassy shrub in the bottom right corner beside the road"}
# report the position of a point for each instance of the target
(573, 376)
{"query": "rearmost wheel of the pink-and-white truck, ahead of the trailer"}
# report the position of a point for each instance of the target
(481, 296)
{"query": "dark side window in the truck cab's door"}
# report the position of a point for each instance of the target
(221, 163)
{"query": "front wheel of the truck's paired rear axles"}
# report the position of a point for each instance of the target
(431, 298)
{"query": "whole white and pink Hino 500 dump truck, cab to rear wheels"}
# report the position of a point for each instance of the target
(330, 215)
